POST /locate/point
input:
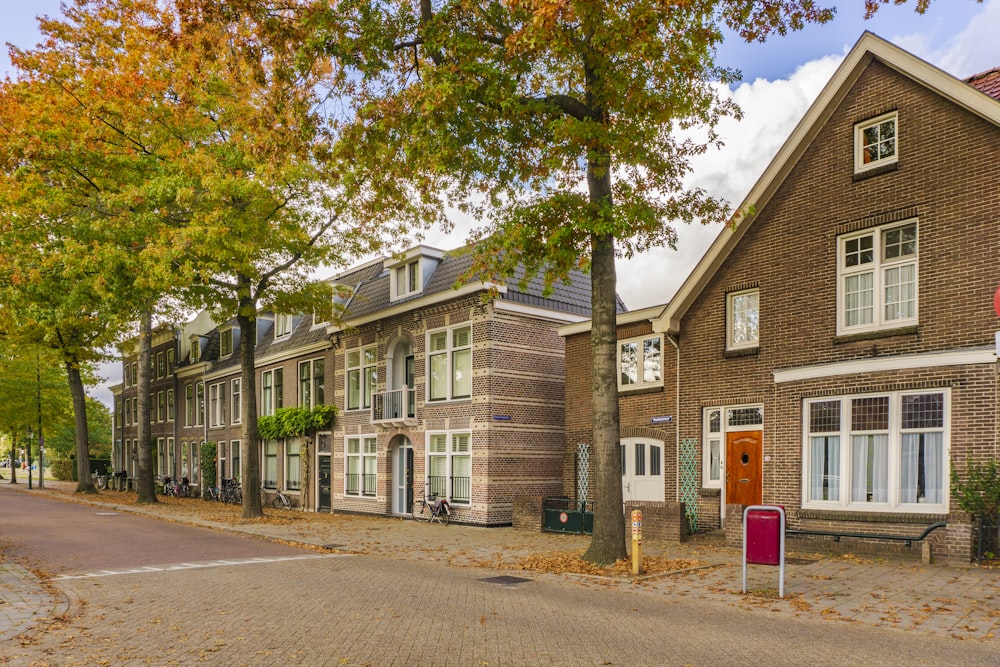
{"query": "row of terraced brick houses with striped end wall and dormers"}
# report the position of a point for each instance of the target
(451, 390)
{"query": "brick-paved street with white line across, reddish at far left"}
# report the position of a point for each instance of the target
(290, 607)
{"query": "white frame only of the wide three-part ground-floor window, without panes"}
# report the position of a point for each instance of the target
(893, 501)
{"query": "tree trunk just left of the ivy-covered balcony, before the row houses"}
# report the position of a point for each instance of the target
(249, 444)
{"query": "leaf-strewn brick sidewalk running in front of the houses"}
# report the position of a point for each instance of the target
(956, 601)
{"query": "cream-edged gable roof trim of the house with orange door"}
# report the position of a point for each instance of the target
(973, 95)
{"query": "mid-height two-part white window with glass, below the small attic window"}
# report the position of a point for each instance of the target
(877, 278)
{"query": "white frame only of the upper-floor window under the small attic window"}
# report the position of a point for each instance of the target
(878, 269)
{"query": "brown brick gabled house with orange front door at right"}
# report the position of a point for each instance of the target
(836, 348)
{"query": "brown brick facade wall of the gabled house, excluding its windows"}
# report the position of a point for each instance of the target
(789, 252)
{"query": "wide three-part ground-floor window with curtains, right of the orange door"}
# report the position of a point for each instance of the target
(877, 452)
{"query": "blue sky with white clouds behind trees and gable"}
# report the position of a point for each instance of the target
(781, 78)
